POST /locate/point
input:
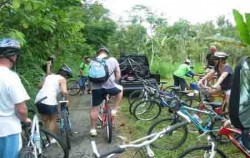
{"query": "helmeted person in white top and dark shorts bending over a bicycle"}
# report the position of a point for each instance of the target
(53, 86)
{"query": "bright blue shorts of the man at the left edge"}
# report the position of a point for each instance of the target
(9, 146)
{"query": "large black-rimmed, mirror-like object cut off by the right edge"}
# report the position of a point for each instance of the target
(239, 105)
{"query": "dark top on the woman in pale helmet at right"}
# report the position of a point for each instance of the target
(226, 84)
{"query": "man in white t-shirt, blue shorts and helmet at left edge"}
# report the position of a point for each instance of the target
(13, 95)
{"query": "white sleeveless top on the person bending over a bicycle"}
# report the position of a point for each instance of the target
(51, 89)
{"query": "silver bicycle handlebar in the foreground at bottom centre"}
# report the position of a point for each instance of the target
(146, 141)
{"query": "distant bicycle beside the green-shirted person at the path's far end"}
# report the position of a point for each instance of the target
(74, 86)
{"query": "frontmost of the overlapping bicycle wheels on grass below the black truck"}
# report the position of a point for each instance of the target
(147, 110)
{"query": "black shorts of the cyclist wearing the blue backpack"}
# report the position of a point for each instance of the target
(99, 94)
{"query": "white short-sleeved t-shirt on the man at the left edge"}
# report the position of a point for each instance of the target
(11, 92)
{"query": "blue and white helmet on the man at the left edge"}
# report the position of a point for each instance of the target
(9, 47)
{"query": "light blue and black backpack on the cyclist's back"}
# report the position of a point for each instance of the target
(98, 70)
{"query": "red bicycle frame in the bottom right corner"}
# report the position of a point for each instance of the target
(229, 132)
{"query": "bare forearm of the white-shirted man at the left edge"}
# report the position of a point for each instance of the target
(21, 112)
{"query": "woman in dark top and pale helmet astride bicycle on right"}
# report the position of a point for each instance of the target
(224, 73)
